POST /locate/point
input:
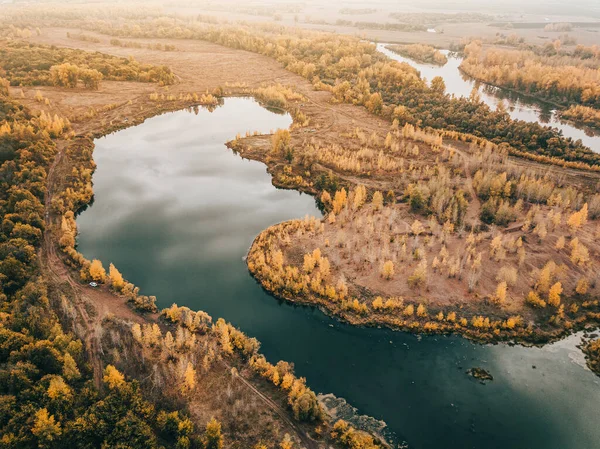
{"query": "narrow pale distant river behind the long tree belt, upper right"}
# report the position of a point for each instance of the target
(519, 106)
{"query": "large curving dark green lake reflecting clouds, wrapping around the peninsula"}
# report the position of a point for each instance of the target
(176, 211)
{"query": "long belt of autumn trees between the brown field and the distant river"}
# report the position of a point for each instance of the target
(356, 73)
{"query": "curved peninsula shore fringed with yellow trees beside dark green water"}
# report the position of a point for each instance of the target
(363, 311)
